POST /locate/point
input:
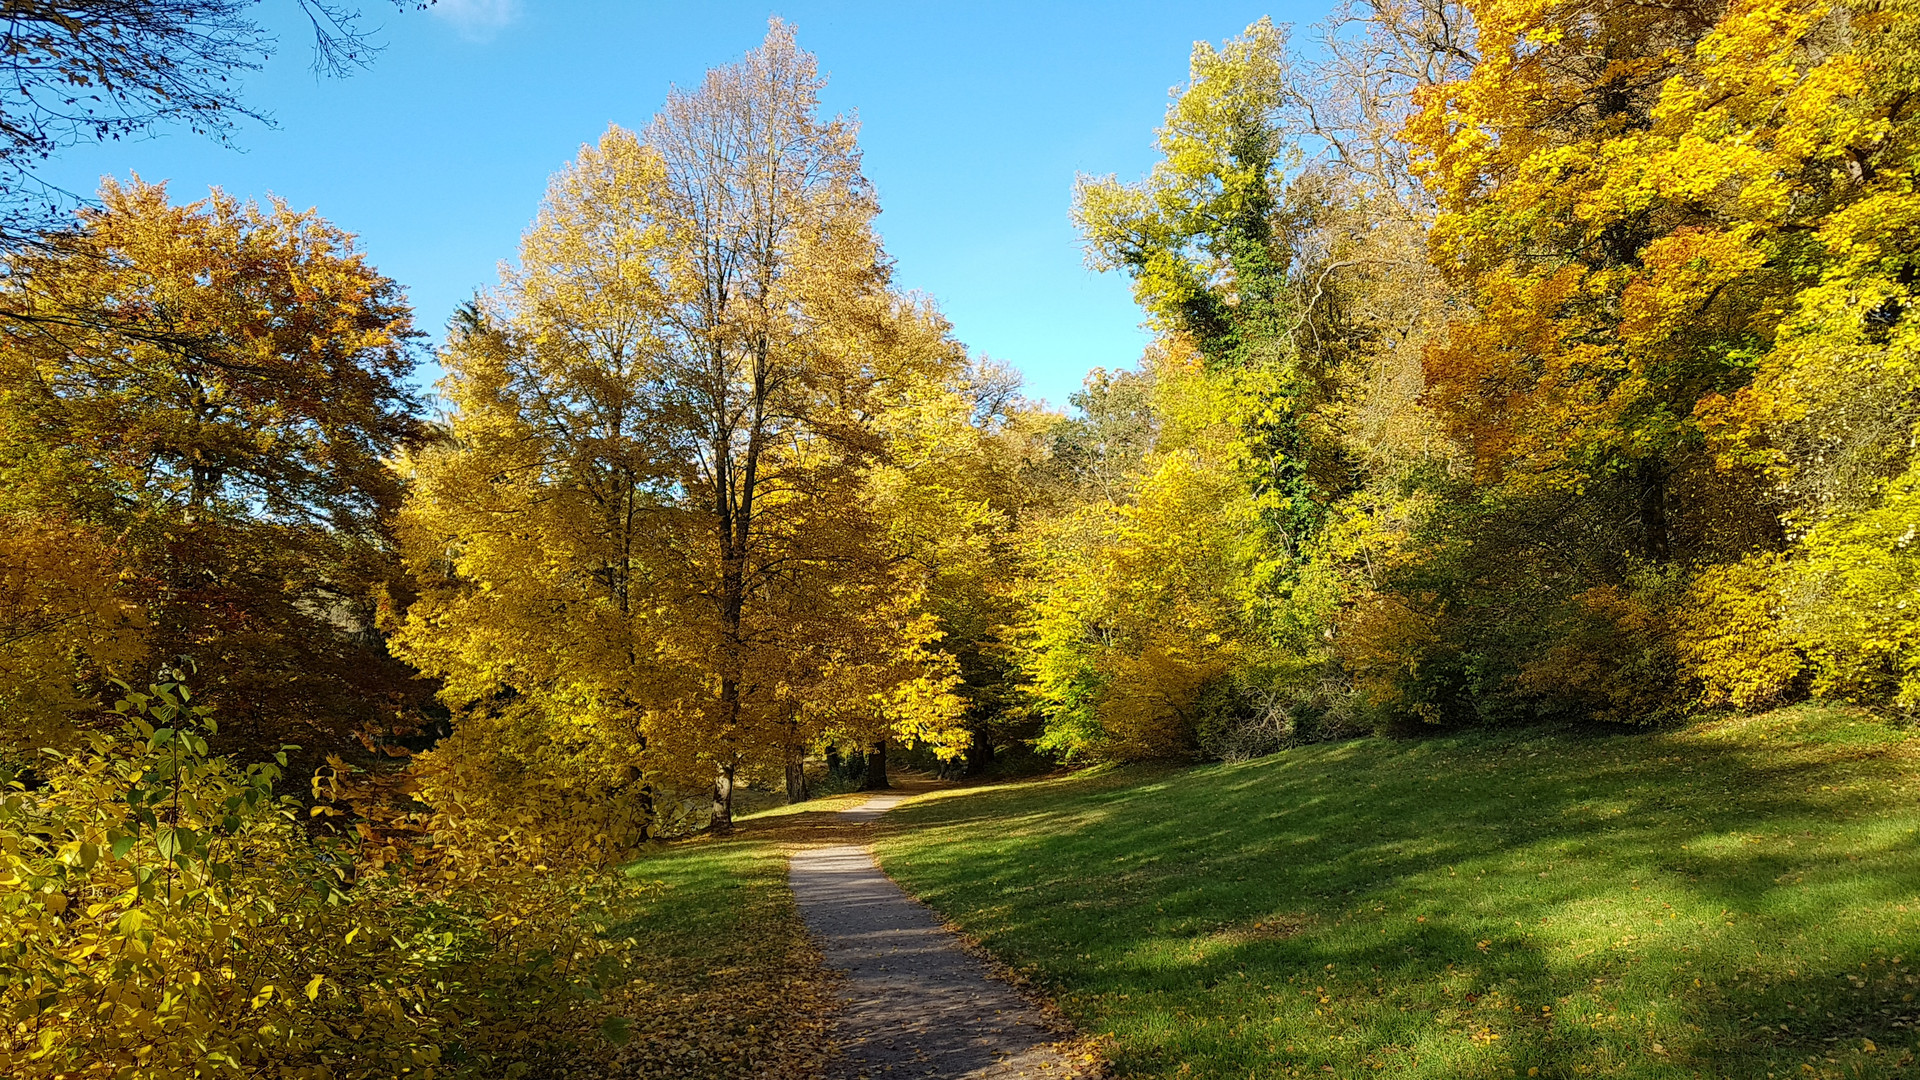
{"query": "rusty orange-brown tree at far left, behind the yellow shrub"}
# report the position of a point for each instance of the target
(224, 443)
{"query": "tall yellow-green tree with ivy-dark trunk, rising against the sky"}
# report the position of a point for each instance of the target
(1282, 237)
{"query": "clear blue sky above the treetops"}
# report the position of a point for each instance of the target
(974, 122)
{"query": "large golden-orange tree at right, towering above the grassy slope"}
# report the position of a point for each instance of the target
(1646, 209)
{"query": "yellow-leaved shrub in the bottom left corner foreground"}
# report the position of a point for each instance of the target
(164, 918)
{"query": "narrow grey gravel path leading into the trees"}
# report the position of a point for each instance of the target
(915, 1002)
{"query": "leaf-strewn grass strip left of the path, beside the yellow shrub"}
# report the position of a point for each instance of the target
(725, 983)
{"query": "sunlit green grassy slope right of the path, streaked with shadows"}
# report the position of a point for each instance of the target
(1733, 900)
